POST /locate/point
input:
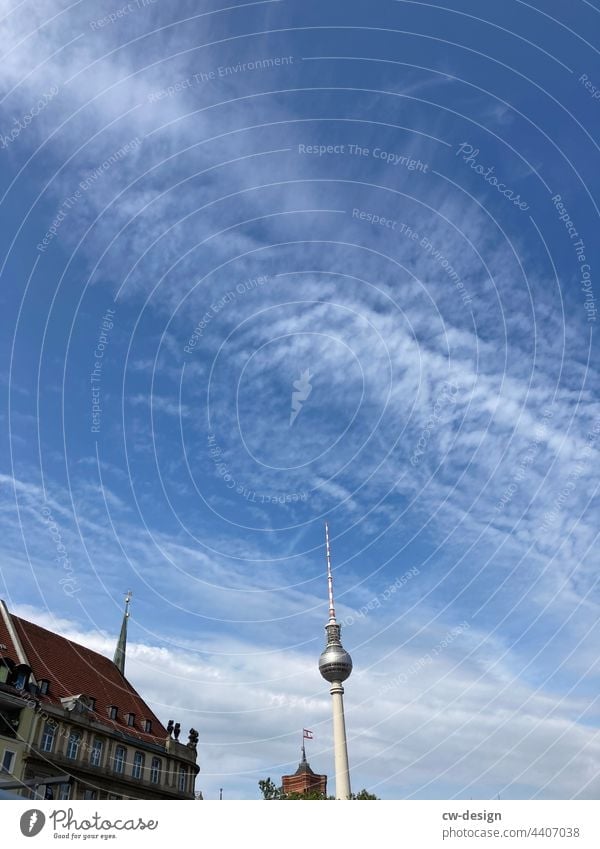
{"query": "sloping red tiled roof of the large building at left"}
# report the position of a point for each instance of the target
(73, 669)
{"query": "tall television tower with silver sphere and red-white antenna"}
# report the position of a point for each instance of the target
(335, 665)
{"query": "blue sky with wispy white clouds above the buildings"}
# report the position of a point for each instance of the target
(389, 210)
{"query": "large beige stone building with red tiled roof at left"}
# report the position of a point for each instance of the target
(73, 727)
